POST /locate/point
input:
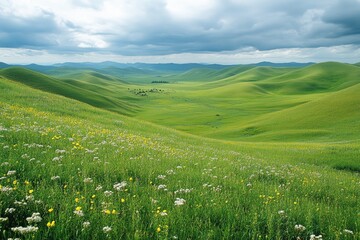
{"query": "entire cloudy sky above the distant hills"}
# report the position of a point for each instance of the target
(206, 31)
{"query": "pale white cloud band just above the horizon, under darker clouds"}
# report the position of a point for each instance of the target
(343, 53)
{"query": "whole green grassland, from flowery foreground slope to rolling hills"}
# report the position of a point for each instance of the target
(272, 154)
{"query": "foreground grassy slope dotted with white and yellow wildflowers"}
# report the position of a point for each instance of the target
(91, 174)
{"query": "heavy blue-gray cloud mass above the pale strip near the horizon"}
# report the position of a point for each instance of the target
(168, 26)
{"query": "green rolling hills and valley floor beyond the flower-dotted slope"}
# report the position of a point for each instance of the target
(247, 104)
